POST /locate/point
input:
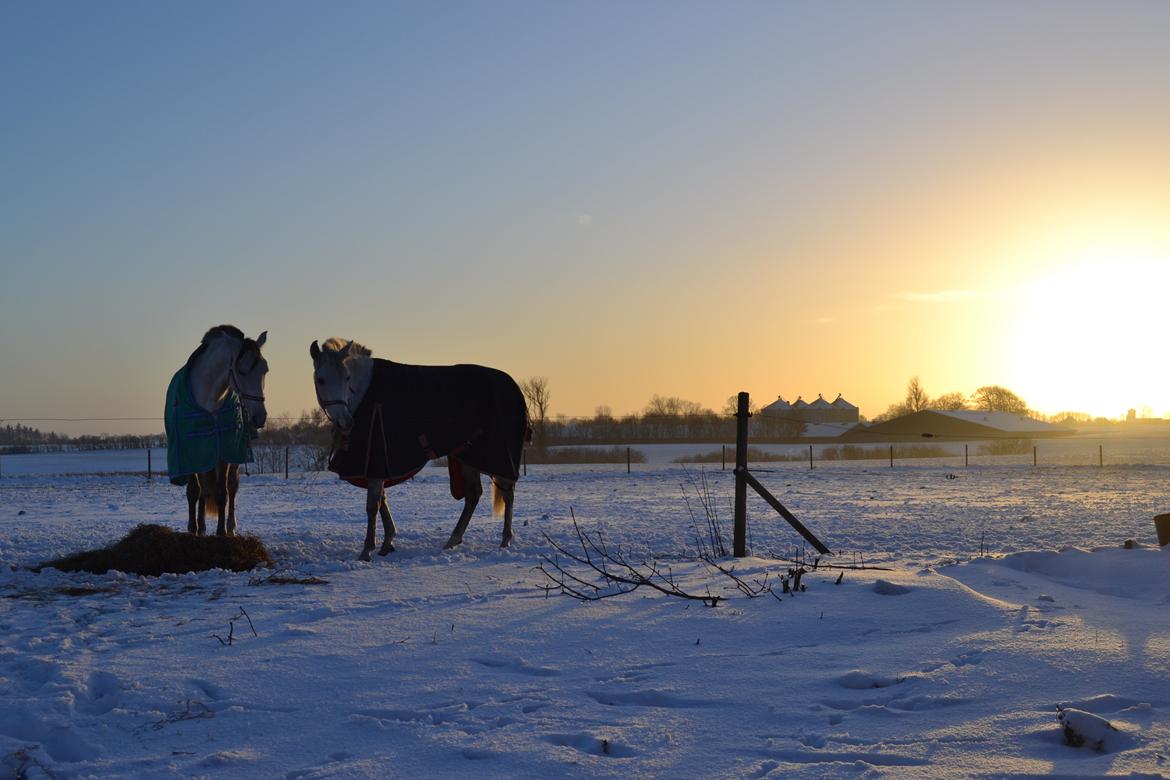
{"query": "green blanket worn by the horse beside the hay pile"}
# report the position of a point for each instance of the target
(196, 439)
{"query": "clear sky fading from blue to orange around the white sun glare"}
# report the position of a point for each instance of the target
(686, 199)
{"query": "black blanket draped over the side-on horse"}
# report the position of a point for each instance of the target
(414, 415)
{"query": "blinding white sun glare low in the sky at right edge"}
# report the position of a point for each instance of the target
(1091, 334)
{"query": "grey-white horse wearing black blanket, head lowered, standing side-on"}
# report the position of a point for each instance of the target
(394, 418)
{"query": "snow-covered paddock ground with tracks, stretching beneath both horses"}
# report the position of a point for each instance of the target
(430, 664)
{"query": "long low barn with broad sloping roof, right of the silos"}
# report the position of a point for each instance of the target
(963, 425)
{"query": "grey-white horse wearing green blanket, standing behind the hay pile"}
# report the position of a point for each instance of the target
(216, 405)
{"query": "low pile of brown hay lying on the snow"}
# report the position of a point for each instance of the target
(154, 550)
